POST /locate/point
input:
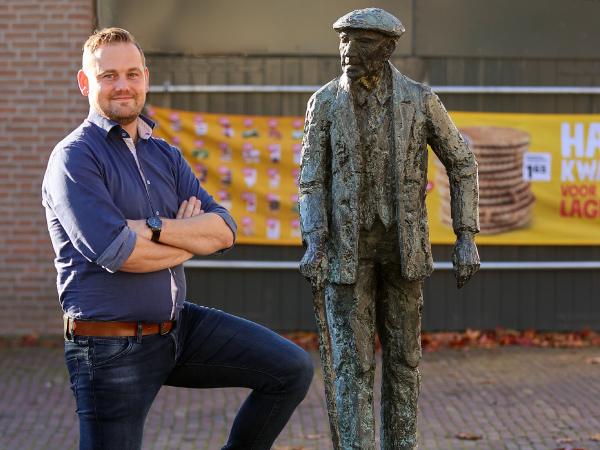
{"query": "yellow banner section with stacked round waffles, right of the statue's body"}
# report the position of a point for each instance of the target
(539, 179)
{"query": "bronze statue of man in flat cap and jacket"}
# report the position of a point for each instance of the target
(363, 182)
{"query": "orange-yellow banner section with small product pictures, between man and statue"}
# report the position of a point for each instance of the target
(249, 164)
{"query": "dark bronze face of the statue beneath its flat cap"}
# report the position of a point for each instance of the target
(363, 52)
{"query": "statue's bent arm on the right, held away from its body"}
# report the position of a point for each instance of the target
(461, 167)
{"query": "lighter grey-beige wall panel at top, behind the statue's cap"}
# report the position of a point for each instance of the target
(241, 27)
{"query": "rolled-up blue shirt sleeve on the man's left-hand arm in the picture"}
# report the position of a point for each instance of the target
(74, 190)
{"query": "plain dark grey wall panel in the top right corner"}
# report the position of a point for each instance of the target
(507, 28)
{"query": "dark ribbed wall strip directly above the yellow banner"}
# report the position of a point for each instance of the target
(263, 70)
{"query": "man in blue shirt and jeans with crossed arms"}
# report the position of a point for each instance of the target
(124, 211)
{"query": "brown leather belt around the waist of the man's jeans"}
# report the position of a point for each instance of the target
(115, 329)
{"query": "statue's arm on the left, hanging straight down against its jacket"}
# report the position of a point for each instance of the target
(313, 195)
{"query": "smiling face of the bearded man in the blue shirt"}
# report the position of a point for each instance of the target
(116, 82)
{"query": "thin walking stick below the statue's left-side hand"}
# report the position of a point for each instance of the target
(325, 351)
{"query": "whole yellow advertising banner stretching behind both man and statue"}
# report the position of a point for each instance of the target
(539, 174)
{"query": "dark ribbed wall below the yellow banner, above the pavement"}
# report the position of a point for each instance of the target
(544, 299)
